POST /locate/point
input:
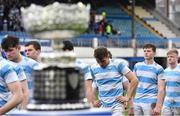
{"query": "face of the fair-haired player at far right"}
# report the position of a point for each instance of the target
(172, 58)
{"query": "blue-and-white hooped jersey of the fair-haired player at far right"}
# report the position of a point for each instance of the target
(172, 81)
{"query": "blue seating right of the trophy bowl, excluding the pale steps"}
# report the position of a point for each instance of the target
(121, 21)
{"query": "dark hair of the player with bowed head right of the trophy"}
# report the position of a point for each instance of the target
(101, 52)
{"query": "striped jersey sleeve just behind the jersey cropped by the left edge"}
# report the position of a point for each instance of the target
(19, 70)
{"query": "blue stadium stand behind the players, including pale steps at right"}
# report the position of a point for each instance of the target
(121, 21)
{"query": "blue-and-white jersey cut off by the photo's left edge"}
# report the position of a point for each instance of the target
(7, 75)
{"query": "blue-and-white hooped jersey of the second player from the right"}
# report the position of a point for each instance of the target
(148, 75)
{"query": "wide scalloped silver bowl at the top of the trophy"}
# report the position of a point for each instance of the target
(57, 20)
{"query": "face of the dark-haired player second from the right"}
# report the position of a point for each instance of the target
(148, 53)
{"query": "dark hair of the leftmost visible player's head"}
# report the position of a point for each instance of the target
(9, 41)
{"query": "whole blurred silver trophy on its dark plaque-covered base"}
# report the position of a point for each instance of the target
(57, 84)
